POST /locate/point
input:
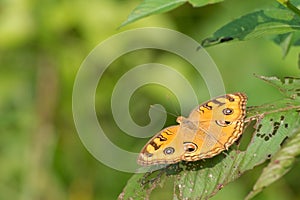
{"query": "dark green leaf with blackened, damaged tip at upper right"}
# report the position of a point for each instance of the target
(256, 25)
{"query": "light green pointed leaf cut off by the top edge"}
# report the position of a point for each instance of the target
(151, 7)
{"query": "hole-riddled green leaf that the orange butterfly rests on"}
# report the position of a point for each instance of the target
(204, 178)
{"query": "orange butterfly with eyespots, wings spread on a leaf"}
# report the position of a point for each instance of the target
(211, 128)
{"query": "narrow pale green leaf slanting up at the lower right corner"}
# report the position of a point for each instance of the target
(279, 165)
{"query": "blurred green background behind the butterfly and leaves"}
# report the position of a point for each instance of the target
(42, 45)
